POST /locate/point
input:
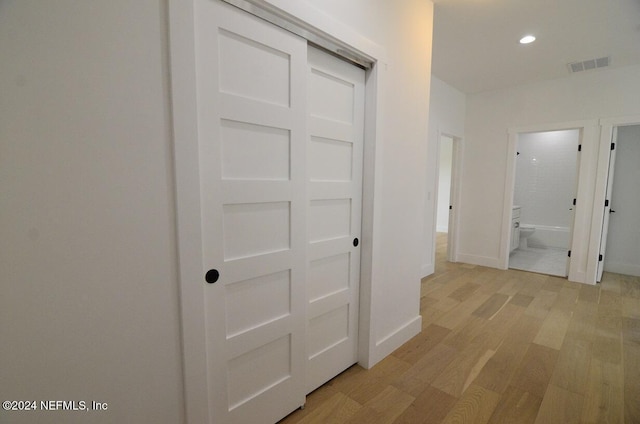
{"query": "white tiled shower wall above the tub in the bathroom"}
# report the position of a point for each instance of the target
(546, 175)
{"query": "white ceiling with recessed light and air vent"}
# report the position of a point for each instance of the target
(475, 42)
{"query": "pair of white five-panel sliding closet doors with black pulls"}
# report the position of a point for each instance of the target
(280, 137)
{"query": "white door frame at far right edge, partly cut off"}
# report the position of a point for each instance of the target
(604, 152)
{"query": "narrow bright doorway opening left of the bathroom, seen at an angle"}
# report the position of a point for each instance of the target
(447, 195)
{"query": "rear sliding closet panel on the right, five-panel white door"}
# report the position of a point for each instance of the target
(335, 149)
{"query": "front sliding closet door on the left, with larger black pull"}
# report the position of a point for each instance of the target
(251, 82)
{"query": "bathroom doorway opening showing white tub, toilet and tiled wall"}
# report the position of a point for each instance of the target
(546, 170)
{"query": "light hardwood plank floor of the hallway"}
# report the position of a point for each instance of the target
(501, 347)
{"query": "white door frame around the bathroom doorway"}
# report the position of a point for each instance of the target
(582, 218)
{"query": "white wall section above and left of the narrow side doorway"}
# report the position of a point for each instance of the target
(446, 116)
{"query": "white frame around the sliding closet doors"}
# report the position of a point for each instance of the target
(318, 28)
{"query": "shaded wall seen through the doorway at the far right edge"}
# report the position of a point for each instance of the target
(623, 242)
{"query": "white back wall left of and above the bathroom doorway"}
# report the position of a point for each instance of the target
(587, 96)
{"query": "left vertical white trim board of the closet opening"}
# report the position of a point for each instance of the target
(186, 157)
